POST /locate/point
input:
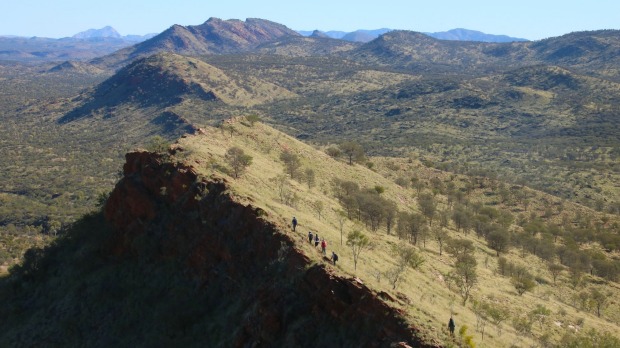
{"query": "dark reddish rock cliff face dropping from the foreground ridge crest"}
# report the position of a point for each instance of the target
(267, 290)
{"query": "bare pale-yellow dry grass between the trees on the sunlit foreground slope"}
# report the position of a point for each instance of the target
(431, 300)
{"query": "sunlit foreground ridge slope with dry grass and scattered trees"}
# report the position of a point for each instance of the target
(427, 294)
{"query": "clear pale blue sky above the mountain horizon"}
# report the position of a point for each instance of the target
(530, 19)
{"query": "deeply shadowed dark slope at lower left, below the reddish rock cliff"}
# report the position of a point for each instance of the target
(70, 294)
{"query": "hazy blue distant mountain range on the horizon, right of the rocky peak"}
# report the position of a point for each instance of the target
(458, 34)
